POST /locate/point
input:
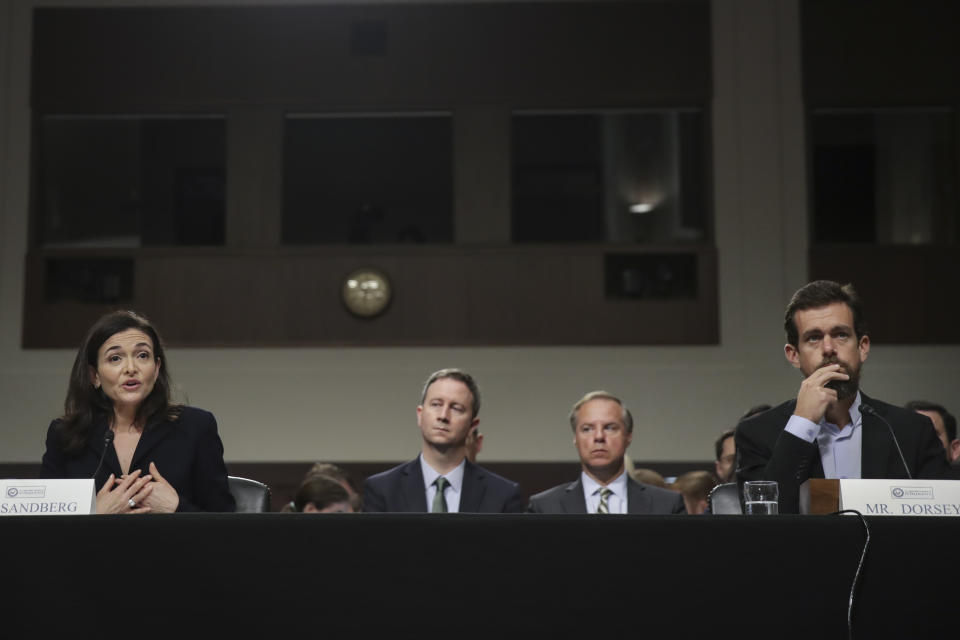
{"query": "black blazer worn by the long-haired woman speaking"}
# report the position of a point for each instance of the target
(187, 451)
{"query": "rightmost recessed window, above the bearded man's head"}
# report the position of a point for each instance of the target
(885, 176)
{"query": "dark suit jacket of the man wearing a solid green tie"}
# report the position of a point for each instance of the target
(401, 489)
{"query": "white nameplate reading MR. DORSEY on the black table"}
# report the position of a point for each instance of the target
(901, 497)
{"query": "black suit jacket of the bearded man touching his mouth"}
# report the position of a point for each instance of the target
(766, 452)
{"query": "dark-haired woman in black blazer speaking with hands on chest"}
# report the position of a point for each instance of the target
(145, 453)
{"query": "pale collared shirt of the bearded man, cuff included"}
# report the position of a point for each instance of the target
(840, 449)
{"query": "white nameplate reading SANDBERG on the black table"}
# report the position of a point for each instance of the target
(47, 497)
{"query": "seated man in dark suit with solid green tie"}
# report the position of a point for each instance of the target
(441, 479)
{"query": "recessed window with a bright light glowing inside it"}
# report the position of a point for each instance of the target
(610, 177)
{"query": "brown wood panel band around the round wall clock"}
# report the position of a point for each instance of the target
(441, 296)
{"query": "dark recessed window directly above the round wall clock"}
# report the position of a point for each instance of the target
(377, 179)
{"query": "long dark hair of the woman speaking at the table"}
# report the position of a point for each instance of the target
(85, 403)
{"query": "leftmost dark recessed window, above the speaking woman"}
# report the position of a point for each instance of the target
(130, 181)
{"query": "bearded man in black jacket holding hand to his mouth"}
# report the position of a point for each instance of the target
(832, 429)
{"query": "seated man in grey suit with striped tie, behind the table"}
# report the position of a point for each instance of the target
(602, 431)
